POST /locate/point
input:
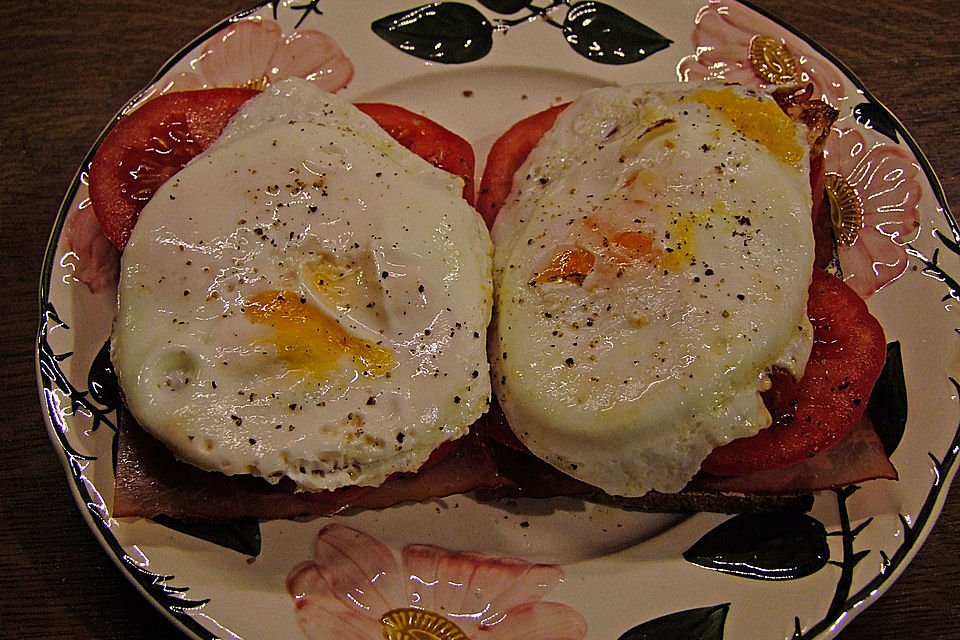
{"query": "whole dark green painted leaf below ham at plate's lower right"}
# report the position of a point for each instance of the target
(763, 546)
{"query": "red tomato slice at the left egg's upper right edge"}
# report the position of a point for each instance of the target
(437, 145)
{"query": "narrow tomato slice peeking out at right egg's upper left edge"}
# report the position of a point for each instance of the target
(505, 157)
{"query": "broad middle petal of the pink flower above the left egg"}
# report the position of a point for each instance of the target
(238, 54)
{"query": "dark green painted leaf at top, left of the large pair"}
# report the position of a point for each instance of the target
(447, 32)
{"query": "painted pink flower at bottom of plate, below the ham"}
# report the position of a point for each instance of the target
(354, 581)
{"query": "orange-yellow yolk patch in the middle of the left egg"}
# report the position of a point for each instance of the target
(307, 340)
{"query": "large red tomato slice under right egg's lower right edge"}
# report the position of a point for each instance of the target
(809, 415)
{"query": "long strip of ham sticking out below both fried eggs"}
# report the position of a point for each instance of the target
(151, 482)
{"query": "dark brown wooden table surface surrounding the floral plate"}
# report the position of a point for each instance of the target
(66, 67)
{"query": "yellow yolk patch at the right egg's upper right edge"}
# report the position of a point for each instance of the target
(763, 122)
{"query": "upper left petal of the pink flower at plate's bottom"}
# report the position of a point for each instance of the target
(360, 569)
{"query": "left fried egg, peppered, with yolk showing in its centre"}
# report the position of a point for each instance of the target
(306, 299)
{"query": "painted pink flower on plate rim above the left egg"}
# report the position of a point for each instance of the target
(253, 53)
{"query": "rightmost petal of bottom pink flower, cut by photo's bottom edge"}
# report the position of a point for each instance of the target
(537, 621)
